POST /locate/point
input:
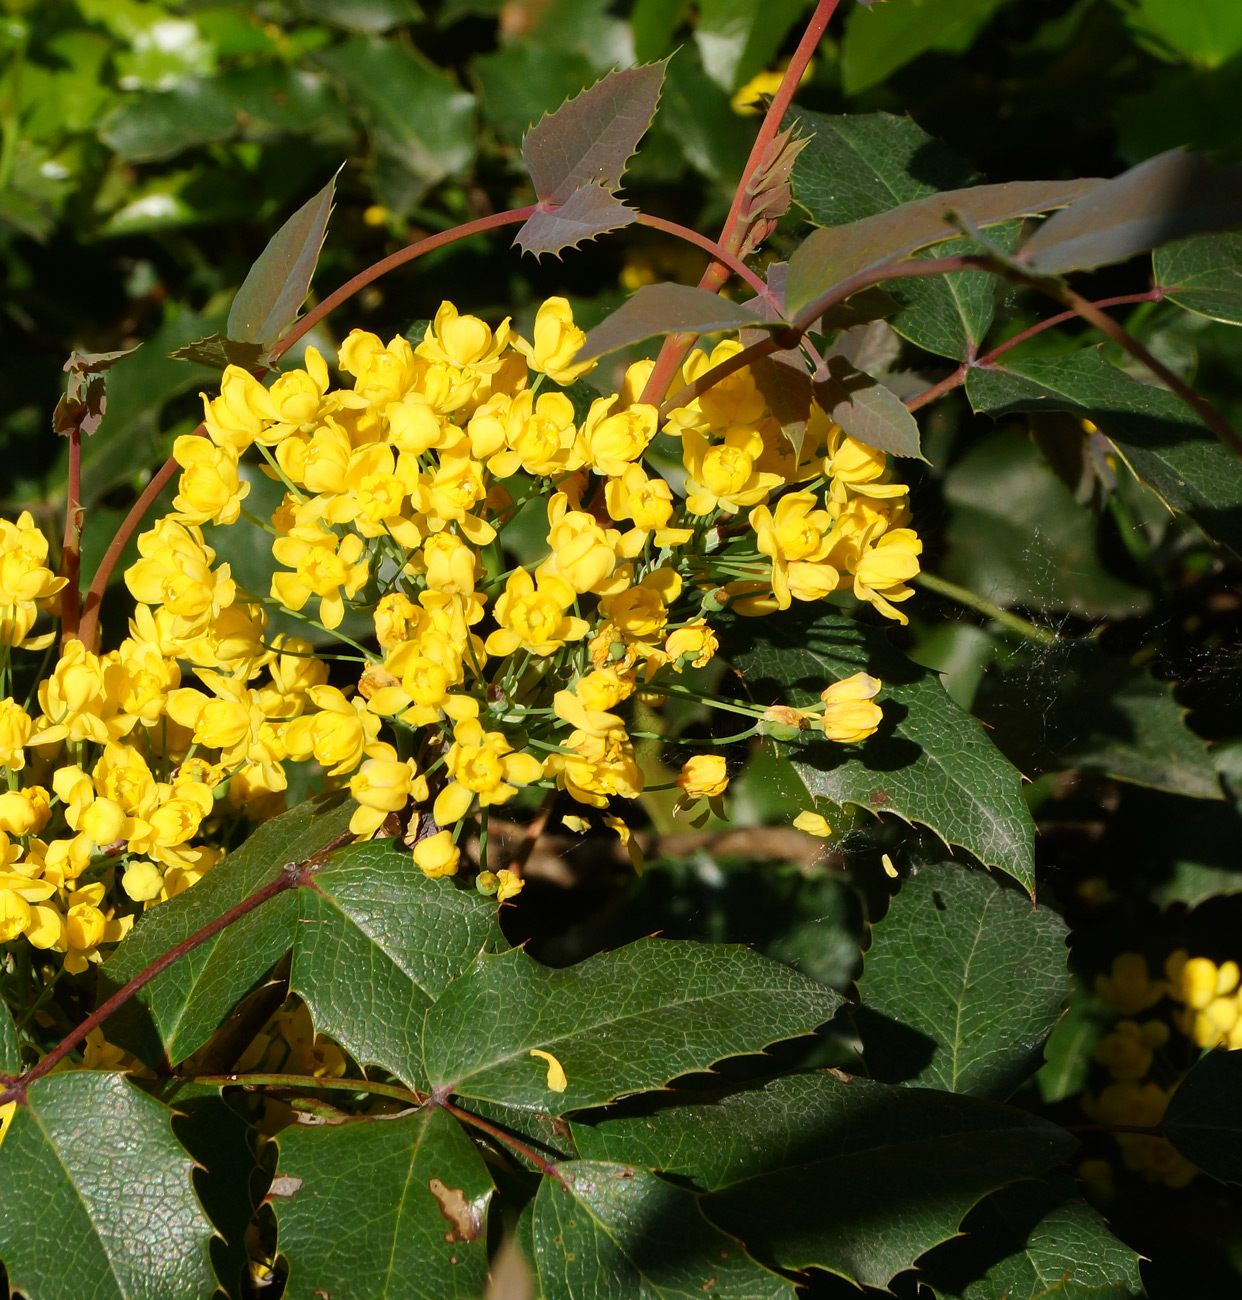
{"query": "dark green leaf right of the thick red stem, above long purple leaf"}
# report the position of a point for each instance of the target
(862, 164)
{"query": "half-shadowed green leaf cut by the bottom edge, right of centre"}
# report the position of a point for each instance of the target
(1029, 1242)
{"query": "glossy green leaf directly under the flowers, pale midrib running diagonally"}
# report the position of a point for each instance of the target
(374, 921)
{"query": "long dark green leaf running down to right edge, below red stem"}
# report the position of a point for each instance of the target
(1166, 447)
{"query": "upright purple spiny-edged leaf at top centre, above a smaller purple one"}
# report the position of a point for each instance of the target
(591, 138)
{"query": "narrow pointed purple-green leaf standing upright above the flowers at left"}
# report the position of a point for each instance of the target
(276, 287)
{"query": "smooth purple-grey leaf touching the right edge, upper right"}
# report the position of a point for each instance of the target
(1166, 198)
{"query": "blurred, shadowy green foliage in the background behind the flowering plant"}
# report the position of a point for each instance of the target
(150, 150)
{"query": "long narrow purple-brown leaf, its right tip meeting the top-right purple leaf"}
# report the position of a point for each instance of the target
(837, 253)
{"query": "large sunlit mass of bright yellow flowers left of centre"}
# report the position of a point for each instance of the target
(487, 574)
